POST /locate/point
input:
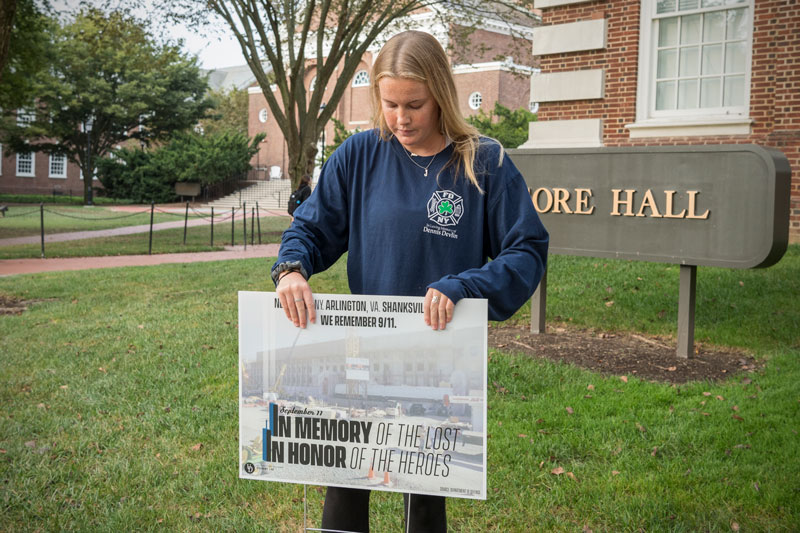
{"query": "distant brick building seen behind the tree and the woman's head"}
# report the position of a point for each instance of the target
(480, 83)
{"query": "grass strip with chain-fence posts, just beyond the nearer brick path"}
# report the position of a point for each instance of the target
(198, 239)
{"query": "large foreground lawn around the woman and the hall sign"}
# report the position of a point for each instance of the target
(118, 409)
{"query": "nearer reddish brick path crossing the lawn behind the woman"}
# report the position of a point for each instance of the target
(10, 267)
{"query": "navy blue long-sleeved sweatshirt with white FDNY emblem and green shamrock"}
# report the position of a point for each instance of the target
(406, 232)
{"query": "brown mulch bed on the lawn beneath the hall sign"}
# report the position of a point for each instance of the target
(649, 358)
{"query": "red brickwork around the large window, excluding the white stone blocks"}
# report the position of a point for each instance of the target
(774, 88)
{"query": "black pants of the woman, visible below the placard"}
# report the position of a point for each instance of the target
(348, 510)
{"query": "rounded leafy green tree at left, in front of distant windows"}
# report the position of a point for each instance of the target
(109, 68)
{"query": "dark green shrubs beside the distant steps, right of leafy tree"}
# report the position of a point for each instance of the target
(146, 176)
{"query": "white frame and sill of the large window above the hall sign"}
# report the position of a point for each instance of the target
(734, 120)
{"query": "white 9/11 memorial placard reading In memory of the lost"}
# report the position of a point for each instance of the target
(366, 397)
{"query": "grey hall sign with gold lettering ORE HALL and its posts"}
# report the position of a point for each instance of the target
(723, 205)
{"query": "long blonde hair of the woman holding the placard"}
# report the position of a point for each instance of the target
(418, 56)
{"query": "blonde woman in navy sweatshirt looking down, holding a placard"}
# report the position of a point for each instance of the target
(420, 203)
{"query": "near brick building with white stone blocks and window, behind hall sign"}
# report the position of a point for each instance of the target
(670, 72)
